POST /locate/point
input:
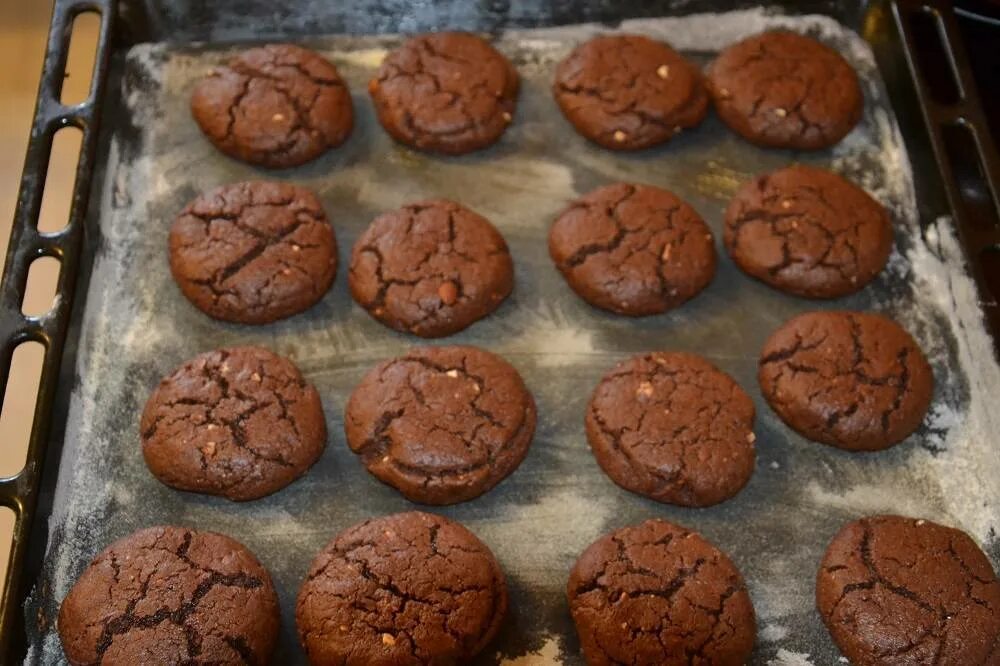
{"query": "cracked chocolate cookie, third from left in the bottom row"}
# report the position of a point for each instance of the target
(657, 594)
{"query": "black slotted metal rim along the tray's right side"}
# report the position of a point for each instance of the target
(960, 138)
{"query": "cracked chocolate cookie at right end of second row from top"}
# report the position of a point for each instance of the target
(808, 232)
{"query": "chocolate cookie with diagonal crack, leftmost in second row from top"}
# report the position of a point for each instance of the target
(253, 252)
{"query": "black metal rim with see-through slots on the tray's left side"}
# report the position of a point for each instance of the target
(19, 492)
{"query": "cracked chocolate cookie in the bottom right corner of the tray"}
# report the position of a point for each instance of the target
(896, 590)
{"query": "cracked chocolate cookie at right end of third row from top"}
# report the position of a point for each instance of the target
(851, 380)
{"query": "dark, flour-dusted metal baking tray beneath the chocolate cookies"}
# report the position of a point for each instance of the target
(136, 326)
